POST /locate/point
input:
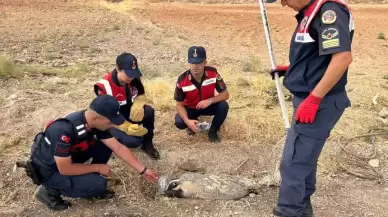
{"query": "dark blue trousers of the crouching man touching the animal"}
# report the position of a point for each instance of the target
(87, 185)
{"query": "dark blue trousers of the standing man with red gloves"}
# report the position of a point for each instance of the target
(302, 149)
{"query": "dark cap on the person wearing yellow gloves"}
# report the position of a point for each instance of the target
(128, 63)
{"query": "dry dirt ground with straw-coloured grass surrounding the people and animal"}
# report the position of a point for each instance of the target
(61, 48)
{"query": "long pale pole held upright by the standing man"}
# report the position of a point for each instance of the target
(273, 63)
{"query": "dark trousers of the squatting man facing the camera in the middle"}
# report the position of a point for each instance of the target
(219, 110)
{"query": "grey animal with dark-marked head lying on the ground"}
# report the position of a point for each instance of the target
(209, 187)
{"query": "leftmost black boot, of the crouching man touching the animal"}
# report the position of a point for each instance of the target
(51, 198)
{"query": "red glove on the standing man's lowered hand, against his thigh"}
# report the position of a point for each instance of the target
(307, 109)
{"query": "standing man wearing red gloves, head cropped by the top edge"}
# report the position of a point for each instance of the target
(320, 55)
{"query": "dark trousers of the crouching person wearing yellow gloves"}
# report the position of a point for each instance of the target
(136, 141)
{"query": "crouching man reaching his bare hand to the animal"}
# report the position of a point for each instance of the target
(60, 151)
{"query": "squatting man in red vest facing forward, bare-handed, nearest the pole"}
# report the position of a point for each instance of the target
(195, 95)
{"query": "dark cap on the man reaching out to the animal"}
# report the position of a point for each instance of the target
(108, 106)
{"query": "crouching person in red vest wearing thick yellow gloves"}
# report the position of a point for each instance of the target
(125, 85)
